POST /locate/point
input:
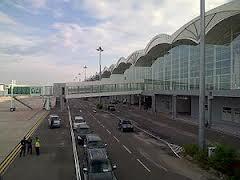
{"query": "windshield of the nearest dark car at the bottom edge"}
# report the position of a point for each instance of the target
(100, 166)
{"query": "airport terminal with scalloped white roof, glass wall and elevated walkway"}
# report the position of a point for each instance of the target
(166, 72)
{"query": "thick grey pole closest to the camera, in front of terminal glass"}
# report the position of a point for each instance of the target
(201, 130)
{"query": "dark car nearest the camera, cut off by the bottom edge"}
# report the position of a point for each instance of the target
(97, 166)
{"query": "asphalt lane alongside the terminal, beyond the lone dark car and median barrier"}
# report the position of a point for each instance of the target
(174, 131)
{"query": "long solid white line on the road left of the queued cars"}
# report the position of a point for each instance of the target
(75, 155)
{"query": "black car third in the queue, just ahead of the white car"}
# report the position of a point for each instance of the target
(81, 132)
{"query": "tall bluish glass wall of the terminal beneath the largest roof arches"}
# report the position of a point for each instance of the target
(179, 68)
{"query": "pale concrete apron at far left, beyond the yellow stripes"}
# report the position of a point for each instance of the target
(14, 125)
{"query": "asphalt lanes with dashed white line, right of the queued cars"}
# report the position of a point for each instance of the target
(136, 155)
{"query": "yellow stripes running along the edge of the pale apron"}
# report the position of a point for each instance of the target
(12, 155)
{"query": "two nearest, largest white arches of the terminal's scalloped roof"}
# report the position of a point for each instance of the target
(189, 32)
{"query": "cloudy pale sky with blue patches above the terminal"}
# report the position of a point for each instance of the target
(47, 41)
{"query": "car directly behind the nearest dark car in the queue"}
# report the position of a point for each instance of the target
(93, 141)
